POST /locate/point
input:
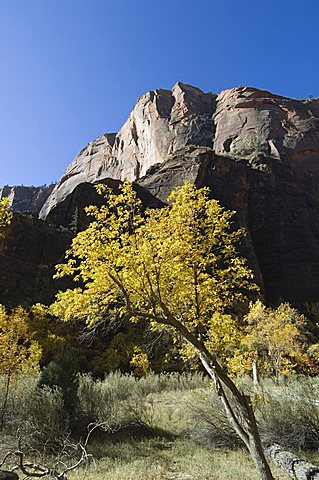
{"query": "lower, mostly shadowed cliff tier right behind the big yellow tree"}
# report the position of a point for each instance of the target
(278, 207)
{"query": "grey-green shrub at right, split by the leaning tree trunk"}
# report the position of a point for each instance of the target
(287, 414)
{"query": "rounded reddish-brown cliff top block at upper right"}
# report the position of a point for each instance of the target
(250, 122)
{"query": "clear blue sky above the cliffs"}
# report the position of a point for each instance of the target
(73, 69)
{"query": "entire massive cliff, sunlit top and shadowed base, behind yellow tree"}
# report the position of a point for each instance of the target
(259, 153)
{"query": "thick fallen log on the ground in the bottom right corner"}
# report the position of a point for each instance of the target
(291, 464)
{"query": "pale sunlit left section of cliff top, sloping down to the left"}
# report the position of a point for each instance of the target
(161, 122)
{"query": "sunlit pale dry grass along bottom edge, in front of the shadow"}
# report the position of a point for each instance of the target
(176, 460)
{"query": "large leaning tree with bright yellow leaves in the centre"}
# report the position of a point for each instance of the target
(176, 267)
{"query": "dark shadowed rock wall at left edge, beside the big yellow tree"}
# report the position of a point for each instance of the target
(29, 251)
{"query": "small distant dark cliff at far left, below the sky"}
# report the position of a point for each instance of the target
(26, 199)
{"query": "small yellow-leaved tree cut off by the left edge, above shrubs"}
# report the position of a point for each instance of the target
(18, 352)
